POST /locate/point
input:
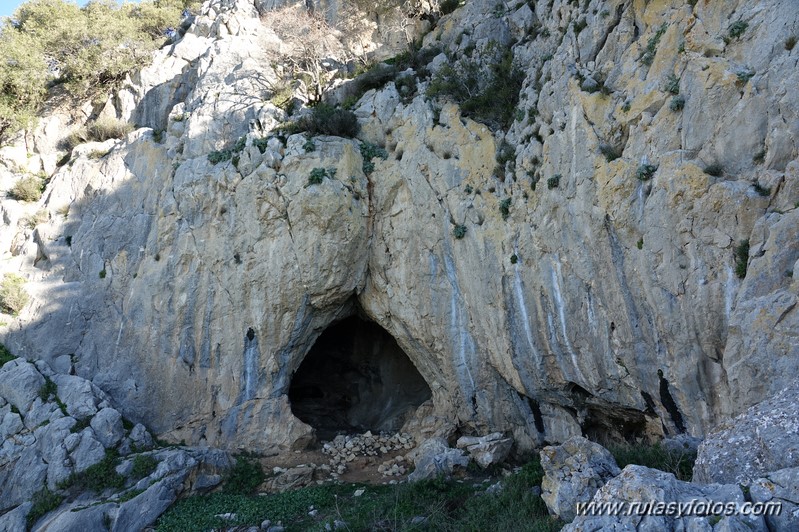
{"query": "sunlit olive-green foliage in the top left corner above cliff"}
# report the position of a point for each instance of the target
(86, 50)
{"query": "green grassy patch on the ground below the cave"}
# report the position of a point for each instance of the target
(446, 505)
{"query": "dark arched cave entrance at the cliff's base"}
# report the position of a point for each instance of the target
(356, 378)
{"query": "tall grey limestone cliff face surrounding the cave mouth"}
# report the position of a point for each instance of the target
(190, 292)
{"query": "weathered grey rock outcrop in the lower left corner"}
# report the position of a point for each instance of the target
(47, 455)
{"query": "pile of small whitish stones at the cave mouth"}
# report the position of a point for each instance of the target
(344, 449)
